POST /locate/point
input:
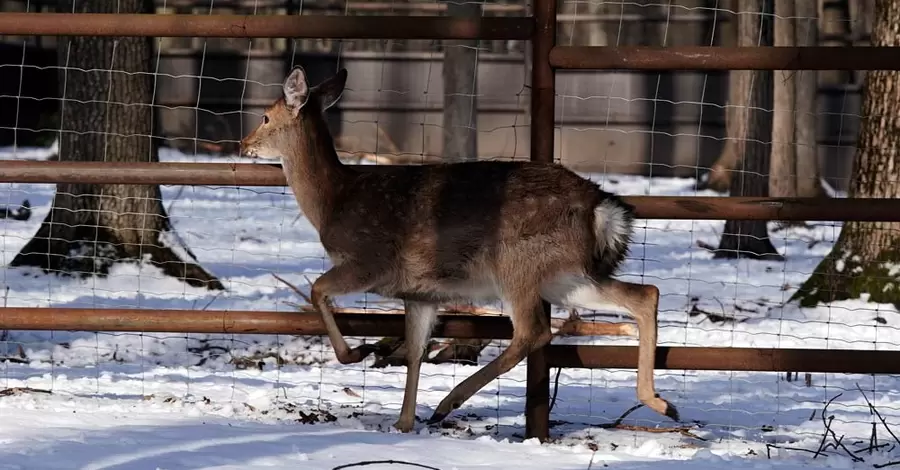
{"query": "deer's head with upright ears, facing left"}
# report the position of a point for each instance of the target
(297, 115)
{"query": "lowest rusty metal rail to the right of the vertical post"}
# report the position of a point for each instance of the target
(730, 359)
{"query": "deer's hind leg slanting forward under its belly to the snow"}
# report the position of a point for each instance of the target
(531, 331)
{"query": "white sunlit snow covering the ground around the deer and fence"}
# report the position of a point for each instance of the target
(170, 401)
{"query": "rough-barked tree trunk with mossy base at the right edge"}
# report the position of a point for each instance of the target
(864, 258)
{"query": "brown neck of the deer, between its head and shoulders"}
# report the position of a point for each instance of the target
(314, 173)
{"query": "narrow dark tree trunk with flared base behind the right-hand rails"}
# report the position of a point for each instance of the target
(750, 238)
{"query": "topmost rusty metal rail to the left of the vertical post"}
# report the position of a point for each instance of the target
(264, 26)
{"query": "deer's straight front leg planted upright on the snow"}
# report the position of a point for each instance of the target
(420, 318)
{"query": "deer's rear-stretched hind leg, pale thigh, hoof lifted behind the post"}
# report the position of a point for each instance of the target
(642, 302)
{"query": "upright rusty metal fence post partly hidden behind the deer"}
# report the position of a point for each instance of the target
(543, 94)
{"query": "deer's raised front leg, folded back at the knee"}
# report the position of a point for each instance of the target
(341, 280)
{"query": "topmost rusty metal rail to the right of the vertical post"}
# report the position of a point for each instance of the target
(724, 58)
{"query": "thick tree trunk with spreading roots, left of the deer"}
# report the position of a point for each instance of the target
(107, 86)
